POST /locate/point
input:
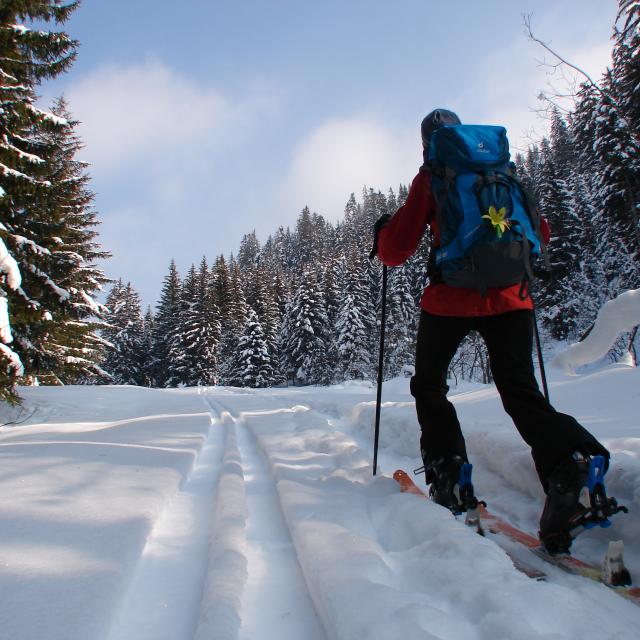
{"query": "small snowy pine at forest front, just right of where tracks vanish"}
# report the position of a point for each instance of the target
(252, 364)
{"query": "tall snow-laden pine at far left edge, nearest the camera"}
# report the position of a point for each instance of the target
(27, 57)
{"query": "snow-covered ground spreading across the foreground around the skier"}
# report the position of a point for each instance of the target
(252, 514)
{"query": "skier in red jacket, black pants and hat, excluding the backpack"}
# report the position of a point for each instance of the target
(561, 448)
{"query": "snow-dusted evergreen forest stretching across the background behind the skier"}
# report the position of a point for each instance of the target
(304, 306)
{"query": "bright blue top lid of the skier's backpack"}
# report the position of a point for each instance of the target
(469, 147)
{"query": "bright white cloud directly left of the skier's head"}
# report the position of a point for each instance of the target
(343, 155)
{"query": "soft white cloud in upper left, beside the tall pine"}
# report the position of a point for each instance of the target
(153, 112)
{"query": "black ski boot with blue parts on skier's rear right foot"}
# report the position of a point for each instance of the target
(576, 500)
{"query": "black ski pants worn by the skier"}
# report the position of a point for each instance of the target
(552, 435)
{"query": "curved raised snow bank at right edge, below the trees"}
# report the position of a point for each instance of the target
(615, 317)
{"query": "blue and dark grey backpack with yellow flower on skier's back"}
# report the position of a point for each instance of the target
(489, 233)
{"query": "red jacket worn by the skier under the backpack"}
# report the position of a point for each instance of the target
(399, 238)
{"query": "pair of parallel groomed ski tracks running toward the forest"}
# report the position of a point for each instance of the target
(220, 563)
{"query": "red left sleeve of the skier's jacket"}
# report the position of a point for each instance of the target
(399, 238)
